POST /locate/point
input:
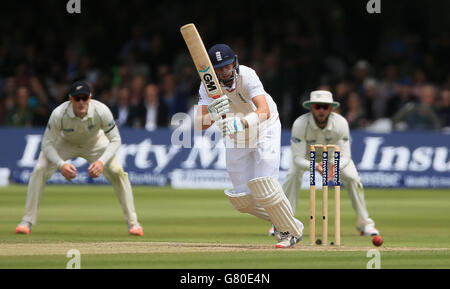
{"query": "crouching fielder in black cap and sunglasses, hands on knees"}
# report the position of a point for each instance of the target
(80, 127)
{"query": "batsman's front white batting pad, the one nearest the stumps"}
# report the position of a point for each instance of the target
(269, 194)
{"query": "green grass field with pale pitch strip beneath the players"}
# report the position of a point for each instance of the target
(187, 229)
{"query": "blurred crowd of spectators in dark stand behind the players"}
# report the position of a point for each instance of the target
(141, 68)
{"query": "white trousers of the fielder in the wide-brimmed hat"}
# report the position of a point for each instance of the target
(349, 178)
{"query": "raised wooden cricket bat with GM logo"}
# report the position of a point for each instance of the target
(201, 60)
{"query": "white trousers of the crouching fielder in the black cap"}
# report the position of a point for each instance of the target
(112, 171)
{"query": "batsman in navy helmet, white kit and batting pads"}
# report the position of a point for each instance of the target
(252, 132)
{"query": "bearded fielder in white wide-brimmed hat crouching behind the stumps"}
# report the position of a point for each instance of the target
(322, 126)
